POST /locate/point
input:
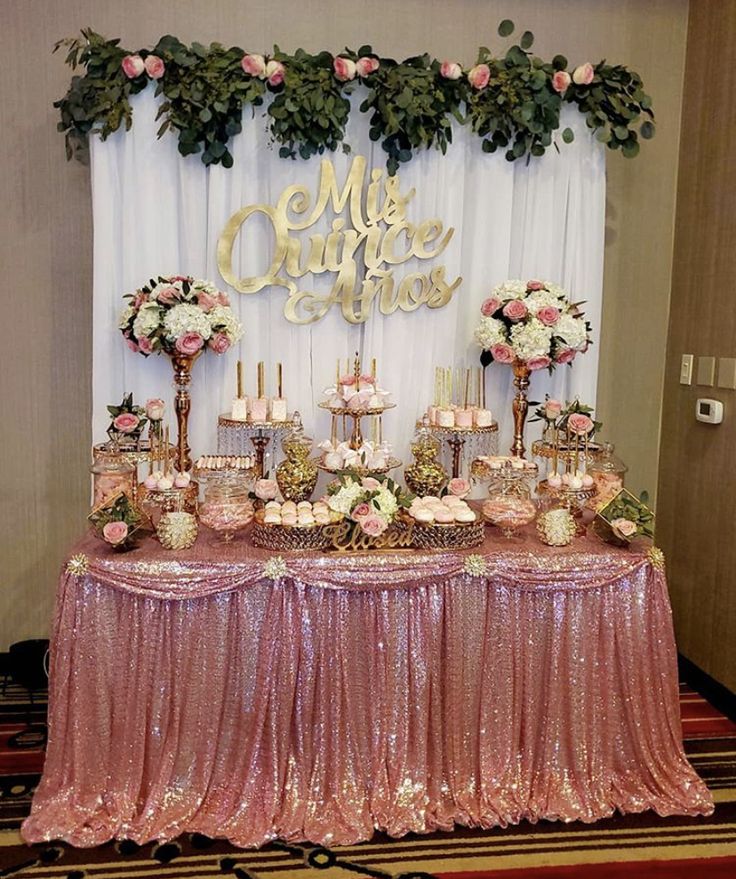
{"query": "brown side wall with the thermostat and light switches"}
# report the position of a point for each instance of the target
(697, 475)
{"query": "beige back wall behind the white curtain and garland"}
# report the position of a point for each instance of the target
(45, 228)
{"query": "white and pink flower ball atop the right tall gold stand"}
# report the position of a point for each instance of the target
(532, 322)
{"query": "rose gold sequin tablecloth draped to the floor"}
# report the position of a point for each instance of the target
(193, 692)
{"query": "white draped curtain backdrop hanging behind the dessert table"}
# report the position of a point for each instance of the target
(158, 213)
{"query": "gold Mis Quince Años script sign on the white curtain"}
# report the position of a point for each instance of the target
(362, 254)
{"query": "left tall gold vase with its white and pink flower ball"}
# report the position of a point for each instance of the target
(179, 316)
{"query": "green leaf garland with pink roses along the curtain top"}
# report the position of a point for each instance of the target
(511, 102)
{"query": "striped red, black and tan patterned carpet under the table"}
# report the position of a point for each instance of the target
(623, 846)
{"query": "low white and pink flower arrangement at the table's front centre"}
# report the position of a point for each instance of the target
(371, 503)
